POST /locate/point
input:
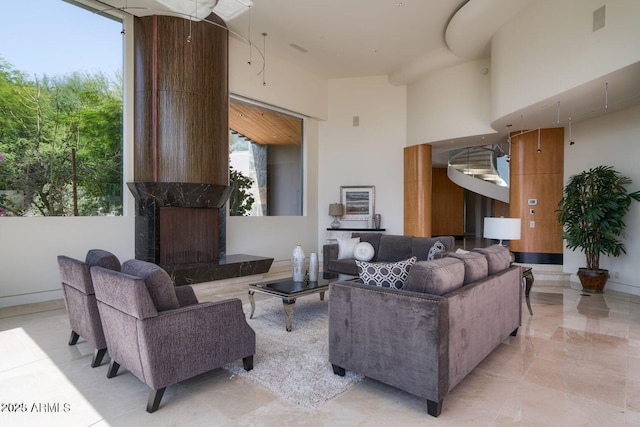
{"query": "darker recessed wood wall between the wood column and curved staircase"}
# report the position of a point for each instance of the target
(447, 206)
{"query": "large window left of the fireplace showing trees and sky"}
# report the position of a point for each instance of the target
(60, 110)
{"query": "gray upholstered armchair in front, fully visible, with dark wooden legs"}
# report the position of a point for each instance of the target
(160, 333)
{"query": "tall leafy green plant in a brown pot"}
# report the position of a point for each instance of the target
(592, 210)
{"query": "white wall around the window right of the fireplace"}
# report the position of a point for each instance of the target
(290, 88)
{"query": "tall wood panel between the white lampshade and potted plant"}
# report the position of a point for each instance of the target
(537, 175)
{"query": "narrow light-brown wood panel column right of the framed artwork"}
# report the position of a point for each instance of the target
(417, 190)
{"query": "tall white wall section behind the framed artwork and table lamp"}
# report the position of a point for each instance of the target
(368, 154)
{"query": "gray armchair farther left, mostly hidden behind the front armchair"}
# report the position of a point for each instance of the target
(80, 299)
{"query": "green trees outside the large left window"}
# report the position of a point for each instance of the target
(42, 122)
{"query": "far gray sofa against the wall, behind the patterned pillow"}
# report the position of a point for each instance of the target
(387, 248)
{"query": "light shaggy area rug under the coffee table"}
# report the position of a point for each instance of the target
(294, 365)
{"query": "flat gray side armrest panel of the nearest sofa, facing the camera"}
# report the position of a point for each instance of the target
(394, 336)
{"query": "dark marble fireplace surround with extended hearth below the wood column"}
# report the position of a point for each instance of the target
(182, 227)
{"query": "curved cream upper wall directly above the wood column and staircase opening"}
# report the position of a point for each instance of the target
(450, 103)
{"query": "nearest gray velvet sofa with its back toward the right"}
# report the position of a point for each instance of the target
(426, 337)
